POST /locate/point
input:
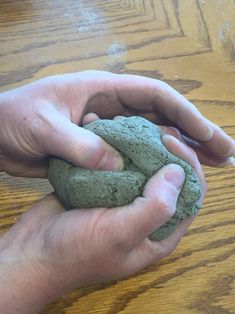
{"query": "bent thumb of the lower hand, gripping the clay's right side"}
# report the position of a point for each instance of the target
(146, 214)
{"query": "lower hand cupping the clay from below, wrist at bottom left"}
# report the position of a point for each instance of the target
(49, 251)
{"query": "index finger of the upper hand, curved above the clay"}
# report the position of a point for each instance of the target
(146, 95)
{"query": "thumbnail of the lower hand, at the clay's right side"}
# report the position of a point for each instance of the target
(175, 175)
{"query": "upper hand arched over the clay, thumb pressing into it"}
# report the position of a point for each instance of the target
(43, 118)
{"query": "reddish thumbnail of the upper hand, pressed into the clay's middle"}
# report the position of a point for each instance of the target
(111, 160)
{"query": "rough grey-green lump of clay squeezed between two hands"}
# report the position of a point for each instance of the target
(139, 142)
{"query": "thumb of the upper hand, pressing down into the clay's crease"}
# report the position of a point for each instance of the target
(82, 147)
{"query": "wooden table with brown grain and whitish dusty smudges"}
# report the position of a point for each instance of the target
(191, 45)
